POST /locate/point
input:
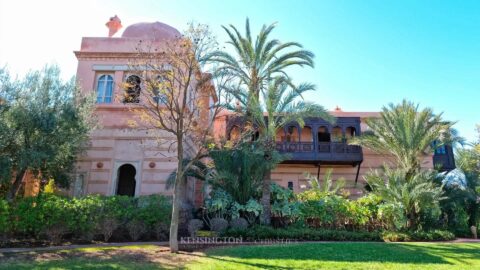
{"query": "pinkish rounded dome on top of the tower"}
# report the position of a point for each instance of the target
(156, 30)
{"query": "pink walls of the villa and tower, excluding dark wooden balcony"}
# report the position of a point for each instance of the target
(124, 160)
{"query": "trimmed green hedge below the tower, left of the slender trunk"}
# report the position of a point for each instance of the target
(54, 217)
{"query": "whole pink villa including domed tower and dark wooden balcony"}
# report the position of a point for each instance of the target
(123, 160)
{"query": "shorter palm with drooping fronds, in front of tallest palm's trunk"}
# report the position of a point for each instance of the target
(280, 104)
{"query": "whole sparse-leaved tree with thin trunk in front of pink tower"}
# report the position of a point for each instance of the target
(180, 99)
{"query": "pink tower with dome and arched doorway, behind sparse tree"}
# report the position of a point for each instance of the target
(120, 159)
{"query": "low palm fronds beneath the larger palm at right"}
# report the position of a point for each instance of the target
(416, 196)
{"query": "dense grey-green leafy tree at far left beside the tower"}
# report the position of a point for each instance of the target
(44, 124)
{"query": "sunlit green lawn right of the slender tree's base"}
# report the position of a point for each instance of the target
(345, 256)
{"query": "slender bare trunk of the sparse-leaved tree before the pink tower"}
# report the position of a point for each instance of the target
(177, 200)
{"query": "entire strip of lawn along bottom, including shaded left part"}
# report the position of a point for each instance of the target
(298, 256)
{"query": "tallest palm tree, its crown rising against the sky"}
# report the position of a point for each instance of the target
(257, 65)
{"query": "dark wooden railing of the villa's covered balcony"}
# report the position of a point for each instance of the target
(333, 152)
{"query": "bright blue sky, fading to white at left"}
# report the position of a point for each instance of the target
(367, 53)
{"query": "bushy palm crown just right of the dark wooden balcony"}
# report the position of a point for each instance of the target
(406, 133)
